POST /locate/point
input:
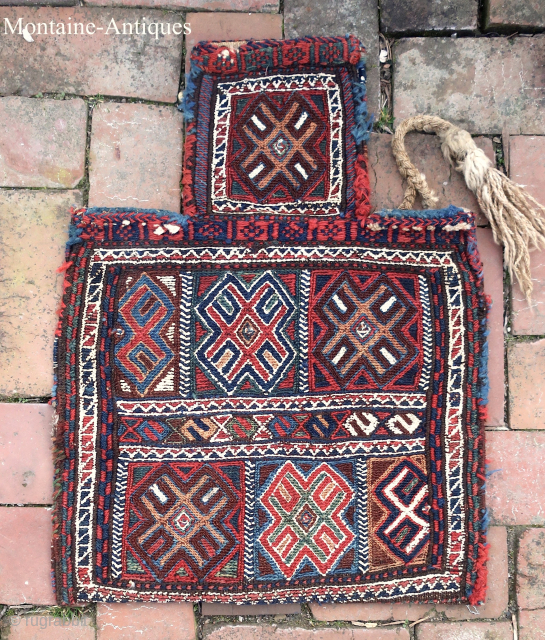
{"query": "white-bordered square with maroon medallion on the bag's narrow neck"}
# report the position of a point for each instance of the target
(279, 146)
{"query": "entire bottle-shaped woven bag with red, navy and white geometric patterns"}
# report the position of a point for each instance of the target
(279, 397)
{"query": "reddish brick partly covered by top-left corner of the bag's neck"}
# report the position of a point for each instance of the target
(230, 26)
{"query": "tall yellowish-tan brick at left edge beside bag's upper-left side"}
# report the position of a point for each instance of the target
(33, 232)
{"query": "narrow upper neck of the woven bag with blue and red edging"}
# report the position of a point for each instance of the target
(275, 128)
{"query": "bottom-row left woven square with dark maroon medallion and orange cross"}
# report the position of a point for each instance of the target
(184, 520)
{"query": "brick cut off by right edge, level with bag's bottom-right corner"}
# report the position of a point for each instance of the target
(531, 569)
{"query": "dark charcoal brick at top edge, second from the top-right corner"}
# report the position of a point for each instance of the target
(407, 16)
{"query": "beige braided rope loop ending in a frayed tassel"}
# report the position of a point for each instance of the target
(514, 215)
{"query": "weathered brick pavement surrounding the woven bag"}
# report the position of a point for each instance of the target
(92, 120)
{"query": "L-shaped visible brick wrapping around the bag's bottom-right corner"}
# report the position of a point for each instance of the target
(497, 594)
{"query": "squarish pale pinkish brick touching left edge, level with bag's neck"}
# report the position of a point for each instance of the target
(42, 142)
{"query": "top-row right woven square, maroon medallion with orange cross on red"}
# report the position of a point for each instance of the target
(365, 332)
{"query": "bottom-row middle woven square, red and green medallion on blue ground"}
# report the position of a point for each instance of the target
(306, 514)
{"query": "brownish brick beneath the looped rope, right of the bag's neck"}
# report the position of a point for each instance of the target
(387, 187)
